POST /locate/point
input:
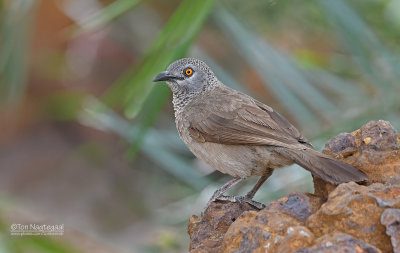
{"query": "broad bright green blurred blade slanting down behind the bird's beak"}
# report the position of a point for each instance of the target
(132, 90)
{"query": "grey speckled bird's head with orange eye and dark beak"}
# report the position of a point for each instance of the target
(188, 76)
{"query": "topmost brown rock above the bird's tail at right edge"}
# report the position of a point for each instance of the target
(375, 149)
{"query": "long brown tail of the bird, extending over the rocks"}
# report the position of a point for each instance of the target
(325, 167)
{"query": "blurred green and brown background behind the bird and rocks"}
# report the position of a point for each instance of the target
(87, 140)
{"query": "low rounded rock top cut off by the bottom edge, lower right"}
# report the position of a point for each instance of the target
(338, 242)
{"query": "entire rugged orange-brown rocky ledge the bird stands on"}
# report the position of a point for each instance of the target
(344, 218)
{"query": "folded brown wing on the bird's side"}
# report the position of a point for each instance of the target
(245, 124)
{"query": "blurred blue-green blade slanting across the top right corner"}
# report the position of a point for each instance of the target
(376, 61)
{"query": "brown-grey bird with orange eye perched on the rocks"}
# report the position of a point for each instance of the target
(240, 136)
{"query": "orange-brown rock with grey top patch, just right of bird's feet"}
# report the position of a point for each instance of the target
(273, 227)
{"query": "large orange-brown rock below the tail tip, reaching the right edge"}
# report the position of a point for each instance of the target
(356, 210)
